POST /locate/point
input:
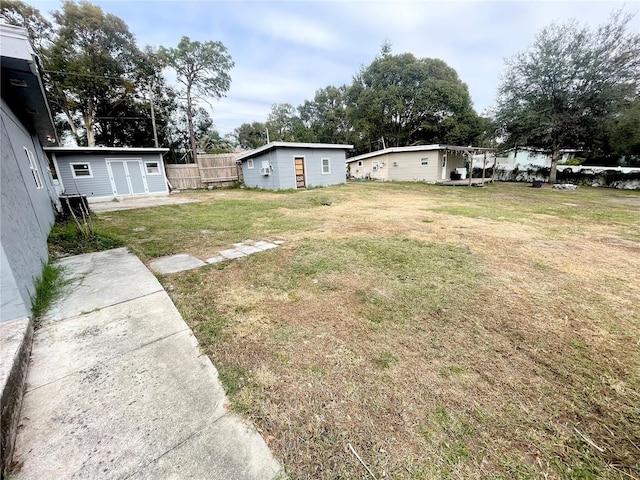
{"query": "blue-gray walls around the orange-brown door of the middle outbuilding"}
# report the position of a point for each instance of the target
(283, 173)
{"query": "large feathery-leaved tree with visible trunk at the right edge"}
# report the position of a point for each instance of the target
(562, 91)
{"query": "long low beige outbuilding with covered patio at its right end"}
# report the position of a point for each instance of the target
(423, 163)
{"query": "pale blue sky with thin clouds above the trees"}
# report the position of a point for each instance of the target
(286, 50)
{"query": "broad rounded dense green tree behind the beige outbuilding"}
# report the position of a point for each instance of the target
(407, 100)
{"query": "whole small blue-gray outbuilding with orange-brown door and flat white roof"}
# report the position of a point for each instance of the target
(288, 165)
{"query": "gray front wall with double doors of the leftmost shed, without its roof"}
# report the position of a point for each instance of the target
(101, 185)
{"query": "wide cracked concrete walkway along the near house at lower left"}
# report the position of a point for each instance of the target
(118, 389)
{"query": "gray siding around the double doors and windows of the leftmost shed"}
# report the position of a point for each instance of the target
(99, 186)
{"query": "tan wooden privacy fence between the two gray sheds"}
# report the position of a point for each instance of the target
(216, 170)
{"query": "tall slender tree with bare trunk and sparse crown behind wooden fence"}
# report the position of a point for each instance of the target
(203, 69)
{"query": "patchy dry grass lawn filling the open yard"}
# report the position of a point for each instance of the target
(441, 332)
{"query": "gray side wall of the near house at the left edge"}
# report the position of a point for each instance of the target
(27, 214)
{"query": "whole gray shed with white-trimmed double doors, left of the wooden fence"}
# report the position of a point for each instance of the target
(103, 173)
